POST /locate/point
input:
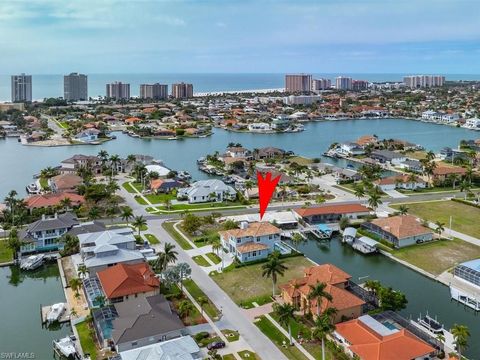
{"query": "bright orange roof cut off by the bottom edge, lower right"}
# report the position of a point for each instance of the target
(369, 345)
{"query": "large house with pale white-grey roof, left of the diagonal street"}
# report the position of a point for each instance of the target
(100, 250)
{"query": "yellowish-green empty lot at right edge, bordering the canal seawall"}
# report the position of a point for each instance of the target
(438, 256)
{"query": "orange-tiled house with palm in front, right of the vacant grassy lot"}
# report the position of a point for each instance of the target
(297, 291)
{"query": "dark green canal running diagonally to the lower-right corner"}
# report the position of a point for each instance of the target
(423, 294)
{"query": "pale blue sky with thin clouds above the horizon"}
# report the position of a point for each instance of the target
(168, 36)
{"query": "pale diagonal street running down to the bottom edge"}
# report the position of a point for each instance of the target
(231, 312)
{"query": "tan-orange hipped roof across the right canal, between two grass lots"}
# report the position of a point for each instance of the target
(401, 226)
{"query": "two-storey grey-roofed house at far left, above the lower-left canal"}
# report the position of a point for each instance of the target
(43, 234)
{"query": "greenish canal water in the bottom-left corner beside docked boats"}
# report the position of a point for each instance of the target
(21, 294)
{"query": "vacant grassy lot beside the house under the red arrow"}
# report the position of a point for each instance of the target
(246, 283)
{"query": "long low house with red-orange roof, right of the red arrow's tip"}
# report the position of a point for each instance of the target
(329, 213)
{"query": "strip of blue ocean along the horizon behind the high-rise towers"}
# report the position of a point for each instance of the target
(45, 86)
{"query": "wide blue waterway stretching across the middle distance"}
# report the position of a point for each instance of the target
(18, 163)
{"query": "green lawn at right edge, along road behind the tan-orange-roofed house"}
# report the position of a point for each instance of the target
(465, 218)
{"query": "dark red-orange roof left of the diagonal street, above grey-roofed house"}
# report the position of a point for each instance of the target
(123, 279)
